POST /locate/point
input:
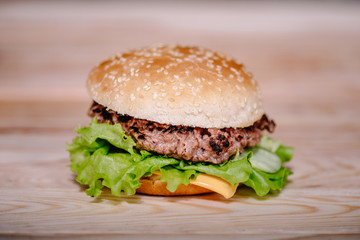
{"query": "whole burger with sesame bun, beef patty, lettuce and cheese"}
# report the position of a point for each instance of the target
(176, 120)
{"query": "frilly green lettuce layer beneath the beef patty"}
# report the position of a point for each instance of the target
(103, 156)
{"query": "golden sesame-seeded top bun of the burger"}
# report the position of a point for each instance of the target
(176, 85)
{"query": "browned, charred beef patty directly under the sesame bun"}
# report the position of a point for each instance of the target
(183, 142)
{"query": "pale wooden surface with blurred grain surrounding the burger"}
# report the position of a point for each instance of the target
(305, 56)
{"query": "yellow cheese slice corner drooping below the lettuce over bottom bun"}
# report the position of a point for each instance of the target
(213, 183)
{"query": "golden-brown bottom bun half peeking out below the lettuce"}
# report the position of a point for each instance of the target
(153, 186)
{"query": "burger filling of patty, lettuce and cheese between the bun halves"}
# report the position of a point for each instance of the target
(116, 151)
